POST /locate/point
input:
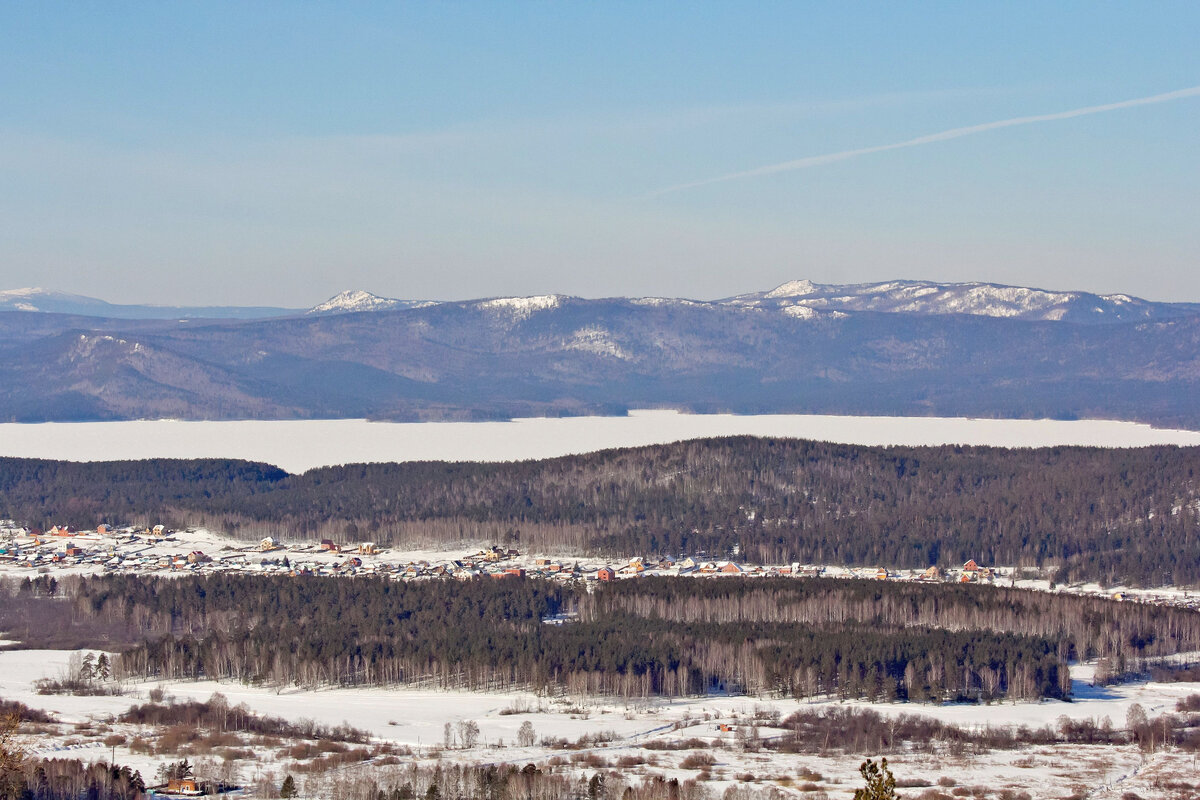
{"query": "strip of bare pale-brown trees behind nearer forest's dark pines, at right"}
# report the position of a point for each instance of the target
(1129, 636)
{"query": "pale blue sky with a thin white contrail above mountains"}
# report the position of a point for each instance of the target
(275, 154)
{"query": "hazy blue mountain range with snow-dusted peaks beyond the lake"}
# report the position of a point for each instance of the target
(904, 347)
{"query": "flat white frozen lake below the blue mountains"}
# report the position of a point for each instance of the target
(298, 446)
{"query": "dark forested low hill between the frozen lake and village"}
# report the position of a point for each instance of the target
(1096, 514)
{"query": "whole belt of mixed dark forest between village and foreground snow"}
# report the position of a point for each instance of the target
(801, 637)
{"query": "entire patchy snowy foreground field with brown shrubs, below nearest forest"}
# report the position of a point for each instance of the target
(416, 718)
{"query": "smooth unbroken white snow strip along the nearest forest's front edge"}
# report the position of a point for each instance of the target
(416, 717)
